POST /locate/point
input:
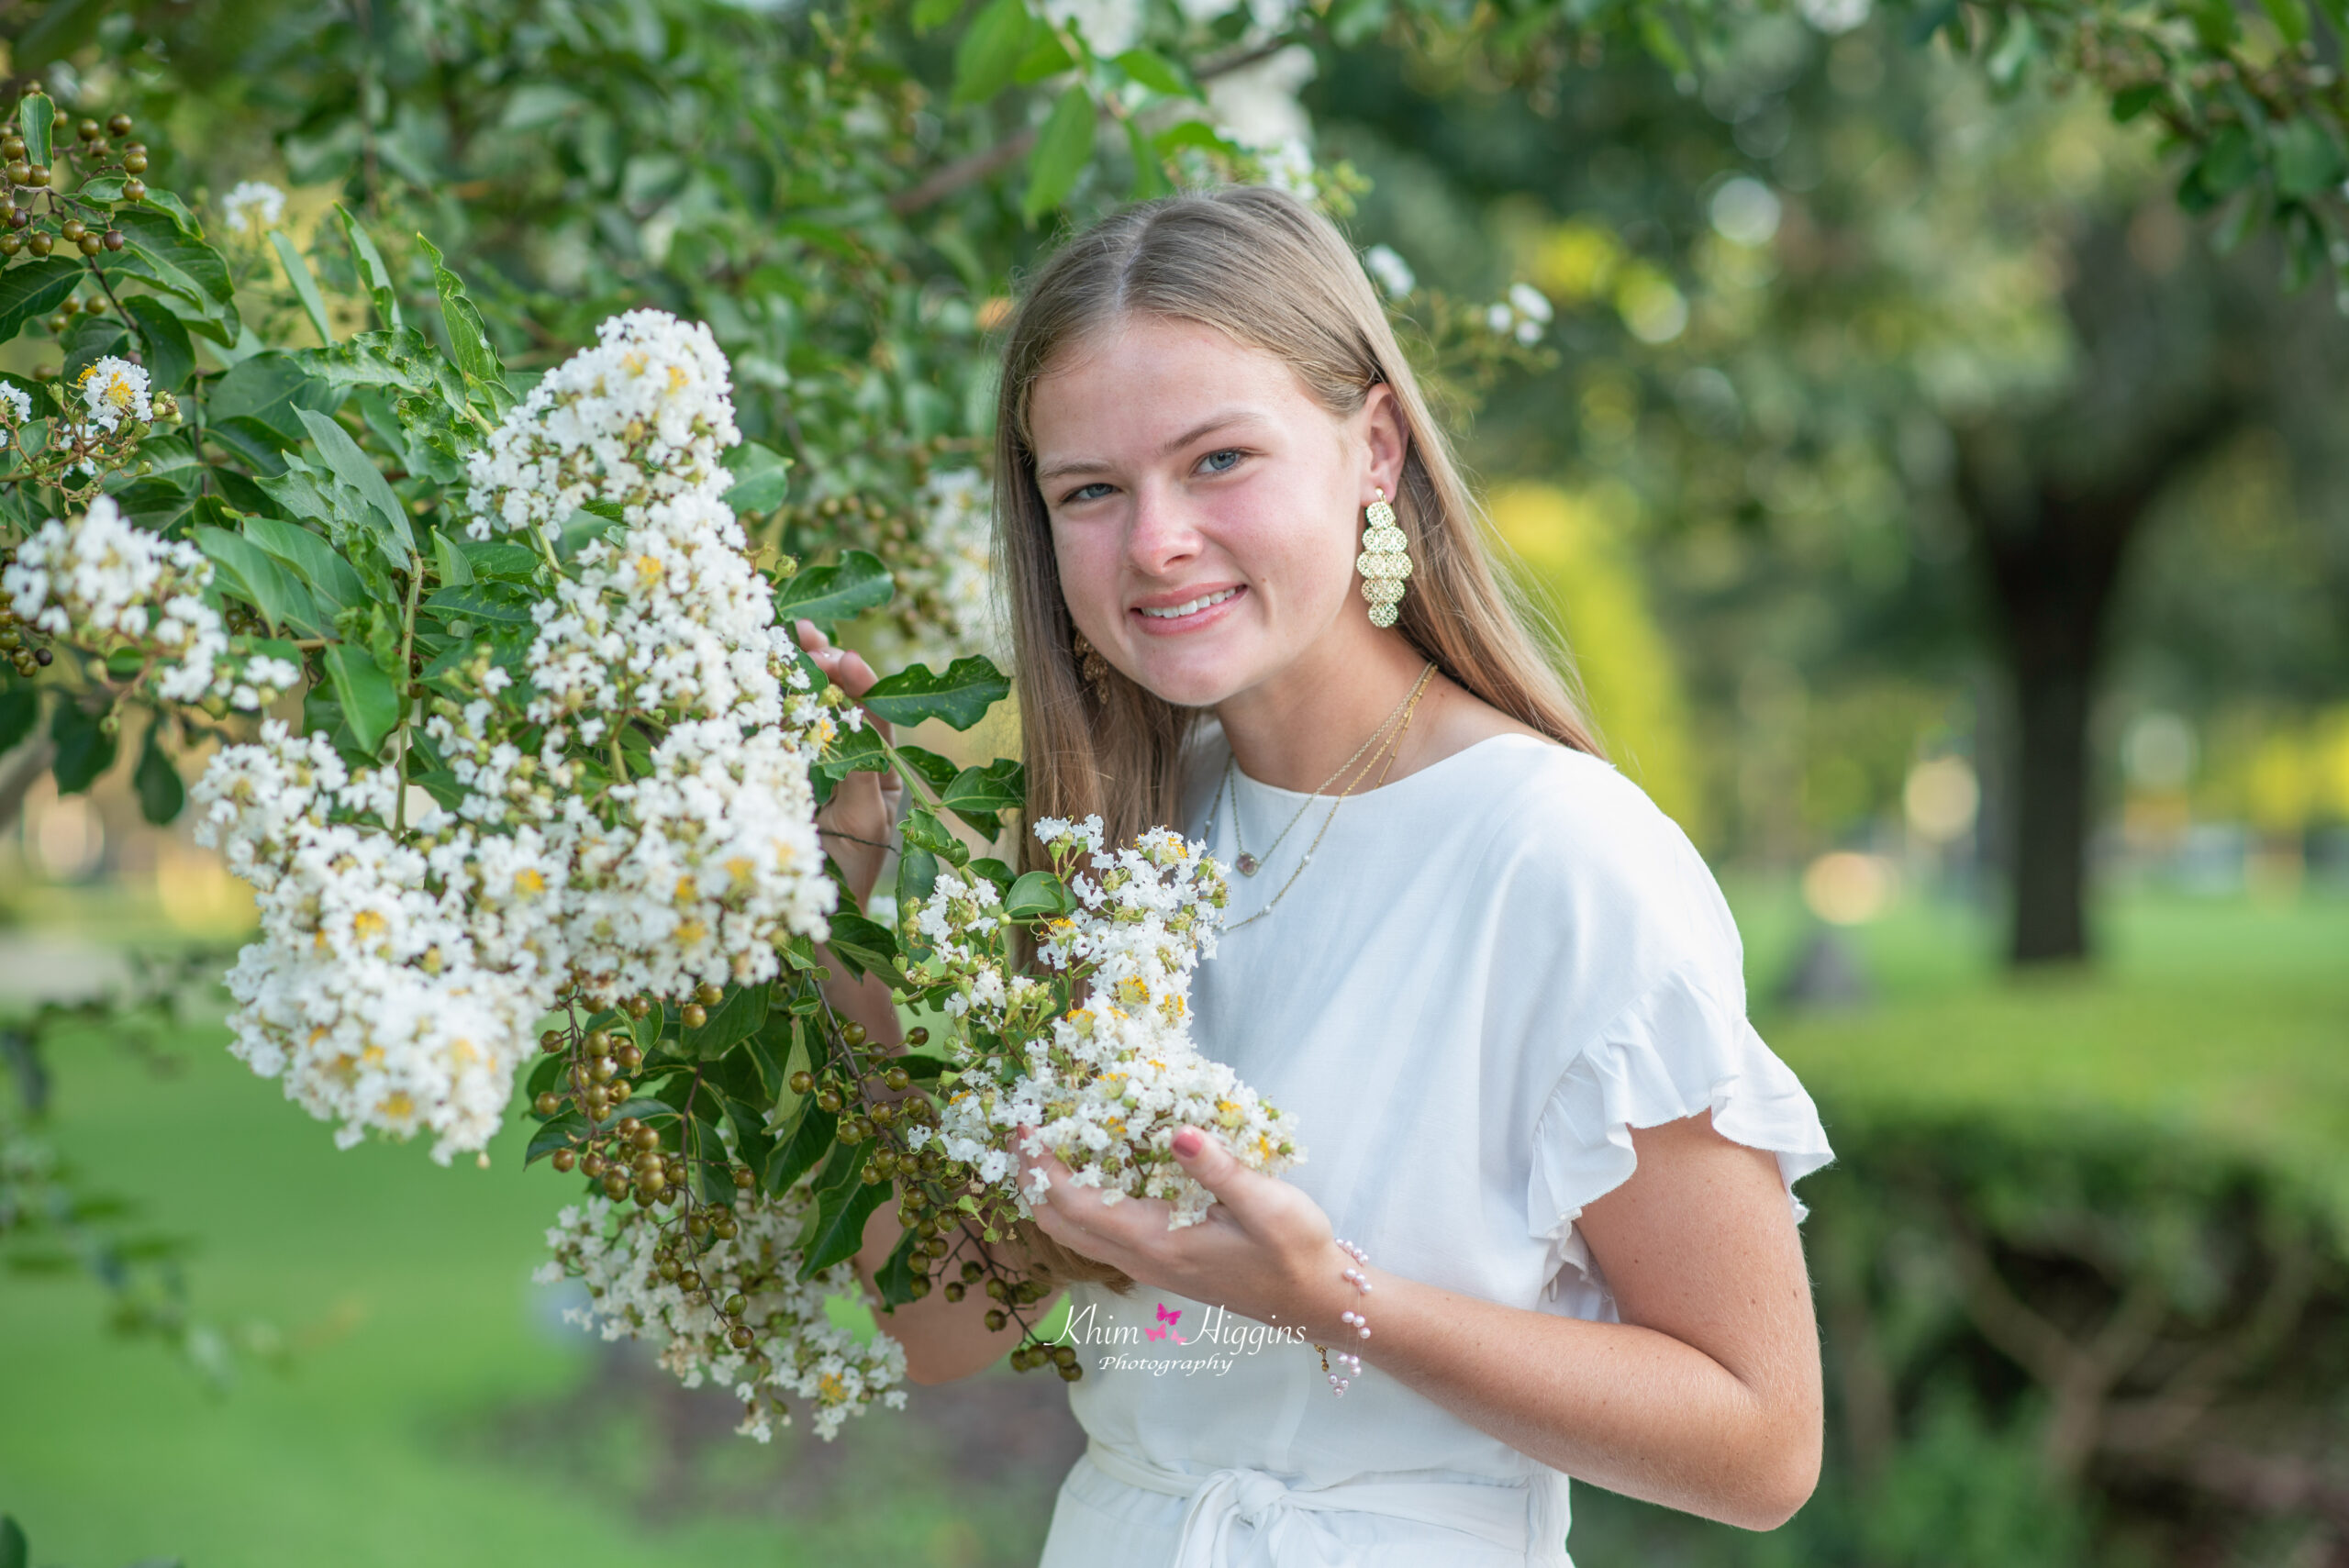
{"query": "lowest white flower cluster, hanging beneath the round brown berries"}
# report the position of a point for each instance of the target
(797, 1351)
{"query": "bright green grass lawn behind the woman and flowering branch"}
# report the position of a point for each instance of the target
(433, 1414)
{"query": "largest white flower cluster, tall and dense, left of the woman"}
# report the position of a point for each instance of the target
(396, 985)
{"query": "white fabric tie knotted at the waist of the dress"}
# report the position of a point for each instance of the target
(1530, 1518)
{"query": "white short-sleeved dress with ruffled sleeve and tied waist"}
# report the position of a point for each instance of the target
(1488, 975)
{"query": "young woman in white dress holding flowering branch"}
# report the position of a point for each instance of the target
(1493, 980)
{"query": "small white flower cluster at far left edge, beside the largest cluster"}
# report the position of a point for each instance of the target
(109, 583)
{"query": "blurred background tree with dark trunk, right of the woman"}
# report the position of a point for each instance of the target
(1897, 370)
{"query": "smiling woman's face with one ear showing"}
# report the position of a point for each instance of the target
(1206, 511)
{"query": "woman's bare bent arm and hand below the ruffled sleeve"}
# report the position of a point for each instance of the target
(1707, 1398)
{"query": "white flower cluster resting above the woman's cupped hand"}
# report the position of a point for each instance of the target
(1110, 1083)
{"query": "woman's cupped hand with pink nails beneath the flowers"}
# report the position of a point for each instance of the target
(1265, 1250)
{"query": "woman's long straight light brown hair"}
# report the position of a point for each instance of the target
(1279, 278)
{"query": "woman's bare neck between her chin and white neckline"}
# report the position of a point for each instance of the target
(1298, 726)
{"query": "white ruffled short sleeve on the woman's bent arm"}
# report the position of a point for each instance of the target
(1678, 1050)
